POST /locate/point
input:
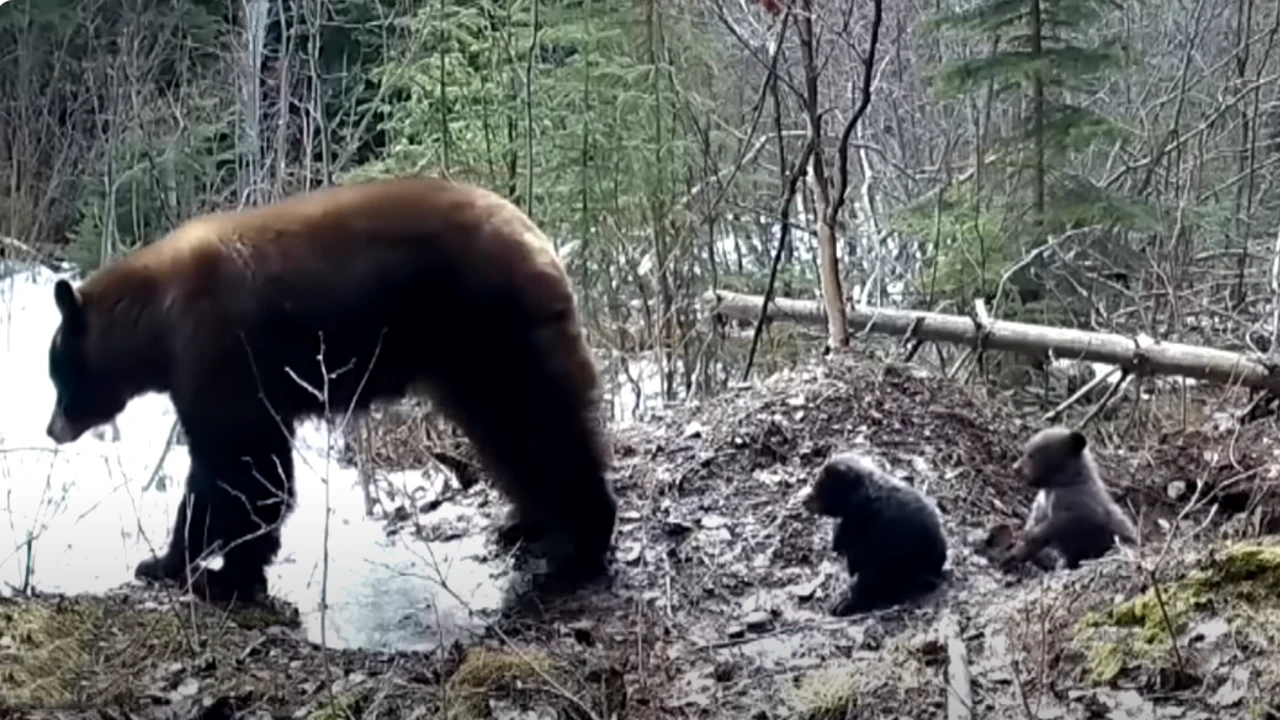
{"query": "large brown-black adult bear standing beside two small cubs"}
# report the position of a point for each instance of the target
(406, 286)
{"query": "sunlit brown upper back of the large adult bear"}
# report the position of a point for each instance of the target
(459, 240)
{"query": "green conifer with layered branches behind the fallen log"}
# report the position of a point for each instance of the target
(1030, 186)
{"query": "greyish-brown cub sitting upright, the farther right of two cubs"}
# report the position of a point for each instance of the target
(1073, 516)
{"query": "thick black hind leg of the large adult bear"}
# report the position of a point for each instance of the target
(534, 422)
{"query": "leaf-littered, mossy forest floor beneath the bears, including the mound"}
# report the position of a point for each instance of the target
(719, 603)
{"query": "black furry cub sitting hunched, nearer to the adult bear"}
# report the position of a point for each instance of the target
(888, 532)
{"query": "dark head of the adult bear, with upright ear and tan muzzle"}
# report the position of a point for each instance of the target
(88, 397)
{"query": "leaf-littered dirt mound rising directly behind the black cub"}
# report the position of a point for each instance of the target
(954, 443)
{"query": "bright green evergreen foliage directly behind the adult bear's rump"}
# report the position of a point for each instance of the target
(584, 129)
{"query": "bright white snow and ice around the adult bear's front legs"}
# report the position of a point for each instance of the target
(90, 522)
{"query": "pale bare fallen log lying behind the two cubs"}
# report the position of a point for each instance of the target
(1136, 356)
